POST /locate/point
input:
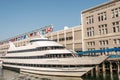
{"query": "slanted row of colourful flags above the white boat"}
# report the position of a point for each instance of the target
(38, 32)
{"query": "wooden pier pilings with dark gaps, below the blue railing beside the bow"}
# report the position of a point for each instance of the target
(110, 67)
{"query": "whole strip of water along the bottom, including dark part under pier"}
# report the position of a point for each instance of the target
(11, 75)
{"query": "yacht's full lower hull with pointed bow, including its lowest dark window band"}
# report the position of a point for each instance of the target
(84, 62)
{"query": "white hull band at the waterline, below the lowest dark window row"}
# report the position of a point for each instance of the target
(73, 72)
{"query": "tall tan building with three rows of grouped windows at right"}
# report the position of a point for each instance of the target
(101, 26)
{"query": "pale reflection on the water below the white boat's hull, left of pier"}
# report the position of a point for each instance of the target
(11, 75)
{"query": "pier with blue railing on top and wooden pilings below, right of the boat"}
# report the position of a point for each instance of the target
(110, 65)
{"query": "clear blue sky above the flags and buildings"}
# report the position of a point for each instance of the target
(21, 16)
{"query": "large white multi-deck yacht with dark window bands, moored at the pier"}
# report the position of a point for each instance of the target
(47, 57)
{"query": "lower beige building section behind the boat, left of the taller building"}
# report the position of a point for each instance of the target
(71, 38)
